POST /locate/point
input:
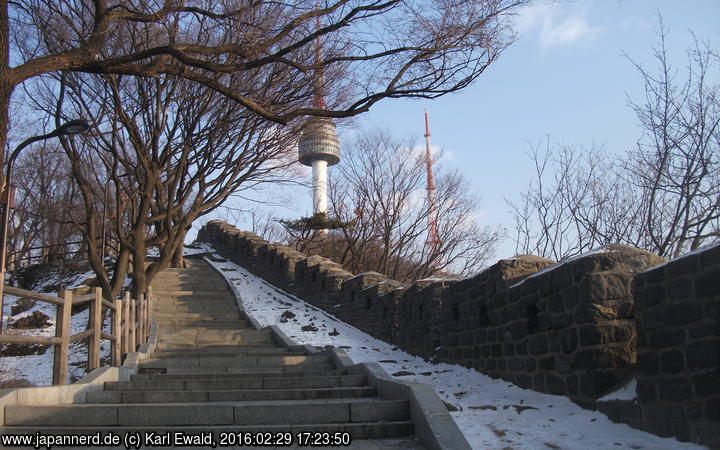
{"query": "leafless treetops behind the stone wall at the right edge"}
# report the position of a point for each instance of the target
(662, 196)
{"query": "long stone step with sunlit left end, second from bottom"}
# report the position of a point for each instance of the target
(268, 412)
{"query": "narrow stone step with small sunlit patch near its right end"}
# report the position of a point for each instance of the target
(237, 361)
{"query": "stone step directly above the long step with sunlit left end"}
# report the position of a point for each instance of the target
(217, 395)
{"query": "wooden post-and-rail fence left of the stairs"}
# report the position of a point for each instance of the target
(130, 327)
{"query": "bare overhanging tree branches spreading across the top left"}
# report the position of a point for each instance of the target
(371, 49)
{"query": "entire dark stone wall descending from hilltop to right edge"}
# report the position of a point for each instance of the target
(569, 329)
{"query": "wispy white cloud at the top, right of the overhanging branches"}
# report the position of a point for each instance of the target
(557, 24)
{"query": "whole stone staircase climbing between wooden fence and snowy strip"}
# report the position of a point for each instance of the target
(212, 371)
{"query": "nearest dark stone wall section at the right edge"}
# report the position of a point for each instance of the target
(678, 322)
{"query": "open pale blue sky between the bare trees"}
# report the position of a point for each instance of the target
(566, 77)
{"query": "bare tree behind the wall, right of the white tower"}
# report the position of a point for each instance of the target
(378, 194)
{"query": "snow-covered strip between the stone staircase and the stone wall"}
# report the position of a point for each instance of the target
(491, 413)
